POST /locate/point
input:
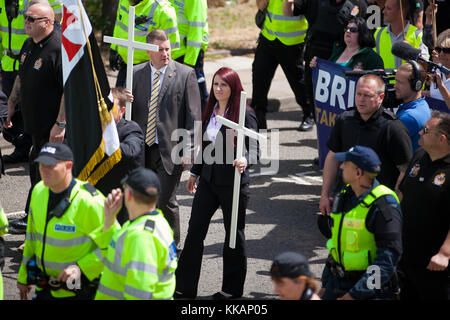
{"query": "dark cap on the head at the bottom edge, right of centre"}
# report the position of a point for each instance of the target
(290, 265)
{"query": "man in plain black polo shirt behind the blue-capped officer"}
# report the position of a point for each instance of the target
(368, 125)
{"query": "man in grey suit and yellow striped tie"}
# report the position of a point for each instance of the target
(166, 98)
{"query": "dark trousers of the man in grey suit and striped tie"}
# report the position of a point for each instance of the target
(167, 202)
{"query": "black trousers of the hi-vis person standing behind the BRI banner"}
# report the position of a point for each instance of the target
(270, 54)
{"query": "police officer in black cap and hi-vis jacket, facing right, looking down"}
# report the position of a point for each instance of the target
(64, 227)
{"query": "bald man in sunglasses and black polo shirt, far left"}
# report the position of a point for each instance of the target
(39, 86)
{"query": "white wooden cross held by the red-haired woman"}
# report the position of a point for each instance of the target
(241, 132)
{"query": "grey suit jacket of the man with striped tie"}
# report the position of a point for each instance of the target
(178, 107)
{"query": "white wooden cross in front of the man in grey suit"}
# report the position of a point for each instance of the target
(130, 44)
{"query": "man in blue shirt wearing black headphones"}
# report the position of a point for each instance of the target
(414, 111)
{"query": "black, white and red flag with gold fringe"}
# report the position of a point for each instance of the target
(91, 130)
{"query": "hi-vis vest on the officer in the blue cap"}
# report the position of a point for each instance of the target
(351, 244)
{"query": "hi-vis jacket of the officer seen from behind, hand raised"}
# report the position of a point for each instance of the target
(140, 261)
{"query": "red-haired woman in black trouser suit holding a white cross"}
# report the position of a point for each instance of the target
(212, 178)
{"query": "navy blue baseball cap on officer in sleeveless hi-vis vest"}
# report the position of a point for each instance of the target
(364, 157)
